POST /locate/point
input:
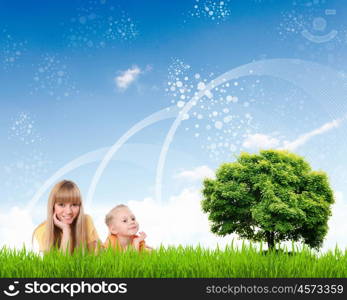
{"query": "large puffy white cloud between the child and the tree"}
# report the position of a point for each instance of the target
(180, 221)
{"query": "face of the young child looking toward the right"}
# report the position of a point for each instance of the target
(124, 223)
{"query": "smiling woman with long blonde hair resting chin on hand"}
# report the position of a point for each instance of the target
(66, 227)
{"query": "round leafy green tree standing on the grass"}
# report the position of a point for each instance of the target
(272, 196)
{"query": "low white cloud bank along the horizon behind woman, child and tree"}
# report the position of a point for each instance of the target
(179, 221)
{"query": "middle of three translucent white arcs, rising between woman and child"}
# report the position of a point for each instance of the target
(163, 114)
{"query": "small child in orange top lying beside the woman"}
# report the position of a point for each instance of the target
(123, 227)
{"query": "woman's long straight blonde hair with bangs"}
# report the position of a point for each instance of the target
(65, 191)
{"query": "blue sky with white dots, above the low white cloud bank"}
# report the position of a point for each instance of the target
(77, 75)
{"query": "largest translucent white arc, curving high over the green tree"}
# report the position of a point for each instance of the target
(273, 67)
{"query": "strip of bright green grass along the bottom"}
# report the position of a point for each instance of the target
(176, 262)
